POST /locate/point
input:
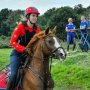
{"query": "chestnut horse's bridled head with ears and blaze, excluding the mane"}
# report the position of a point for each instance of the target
(51, 46)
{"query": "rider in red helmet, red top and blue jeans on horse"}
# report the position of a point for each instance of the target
(20, 38)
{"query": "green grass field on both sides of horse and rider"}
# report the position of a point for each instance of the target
(71, 74)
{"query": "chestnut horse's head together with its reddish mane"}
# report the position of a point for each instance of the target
(49, 44)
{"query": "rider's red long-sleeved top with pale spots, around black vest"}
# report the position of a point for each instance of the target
(20, 31)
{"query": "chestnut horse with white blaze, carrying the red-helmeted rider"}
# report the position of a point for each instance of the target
(41, 46)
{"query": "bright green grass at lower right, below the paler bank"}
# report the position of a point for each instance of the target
(71, 77)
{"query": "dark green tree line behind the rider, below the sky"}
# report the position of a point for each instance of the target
(52, 17)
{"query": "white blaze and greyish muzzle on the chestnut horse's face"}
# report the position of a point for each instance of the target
(60, 53)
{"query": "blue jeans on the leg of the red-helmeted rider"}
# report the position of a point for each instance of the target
(15, 62)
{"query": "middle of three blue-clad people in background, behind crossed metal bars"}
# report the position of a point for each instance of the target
(83, 34)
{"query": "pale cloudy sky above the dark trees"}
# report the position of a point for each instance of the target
(41, 5)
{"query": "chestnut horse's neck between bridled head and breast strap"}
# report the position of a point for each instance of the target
(38, 62)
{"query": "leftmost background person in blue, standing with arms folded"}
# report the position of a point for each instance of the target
(70, 29)
